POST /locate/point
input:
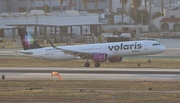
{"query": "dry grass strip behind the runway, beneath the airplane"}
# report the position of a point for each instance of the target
(126, 63)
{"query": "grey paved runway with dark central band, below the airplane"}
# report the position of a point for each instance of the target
(44, 73)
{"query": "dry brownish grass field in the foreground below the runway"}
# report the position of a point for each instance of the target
(115, 91)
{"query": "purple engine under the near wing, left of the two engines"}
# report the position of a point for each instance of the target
(100, 57)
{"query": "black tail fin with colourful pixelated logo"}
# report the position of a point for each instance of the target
(27, 41)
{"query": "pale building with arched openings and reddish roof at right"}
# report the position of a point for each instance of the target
(170, 22)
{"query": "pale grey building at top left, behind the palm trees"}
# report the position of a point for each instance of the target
(49, 5)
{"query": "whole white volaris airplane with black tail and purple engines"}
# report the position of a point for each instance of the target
(101, 52)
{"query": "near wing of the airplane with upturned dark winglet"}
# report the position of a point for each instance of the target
(83, 55)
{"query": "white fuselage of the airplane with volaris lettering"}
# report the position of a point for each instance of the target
(116, 49)
